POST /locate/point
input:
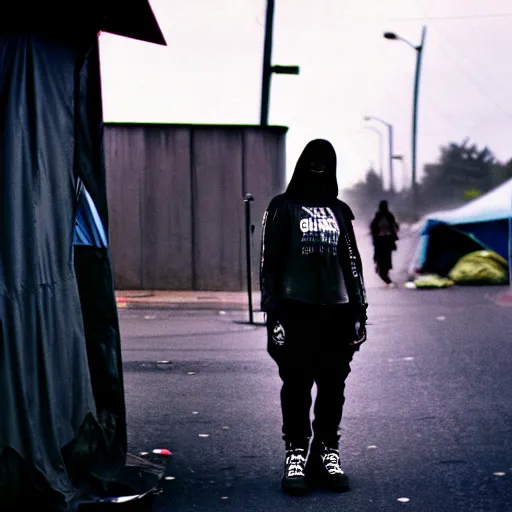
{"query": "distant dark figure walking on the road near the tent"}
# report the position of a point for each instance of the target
(384, 229)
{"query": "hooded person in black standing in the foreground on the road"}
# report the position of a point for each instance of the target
(313, 293)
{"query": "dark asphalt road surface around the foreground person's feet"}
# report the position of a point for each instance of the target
(428, 416)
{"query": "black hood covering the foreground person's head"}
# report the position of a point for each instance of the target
(314, 178)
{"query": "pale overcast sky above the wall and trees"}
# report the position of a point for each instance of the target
(210, 72)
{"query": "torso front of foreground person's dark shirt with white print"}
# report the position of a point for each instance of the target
(313, 272)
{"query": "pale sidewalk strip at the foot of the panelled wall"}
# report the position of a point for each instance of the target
(160, 299)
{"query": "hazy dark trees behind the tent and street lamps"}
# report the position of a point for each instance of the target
(462, 173)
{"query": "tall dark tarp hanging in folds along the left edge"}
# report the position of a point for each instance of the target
(62, 411)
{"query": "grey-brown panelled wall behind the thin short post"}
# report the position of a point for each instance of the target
(176, 206)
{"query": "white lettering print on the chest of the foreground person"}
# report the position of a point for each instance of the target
(320, 231)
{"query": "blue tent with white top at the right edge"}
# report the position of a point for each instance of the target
(446, 236)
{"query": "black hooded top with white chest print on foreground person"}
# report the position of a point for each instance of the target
(309, 252)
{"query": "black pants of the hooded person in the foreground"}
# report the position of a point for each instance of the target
(310, 345)
